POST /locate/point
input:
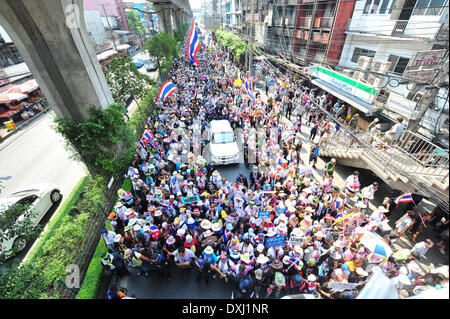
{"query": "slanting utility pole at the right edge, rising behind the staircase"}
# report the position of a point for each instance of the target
(428, 98)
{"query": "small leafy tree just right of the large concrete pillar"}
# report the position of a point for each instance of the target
(125, 80)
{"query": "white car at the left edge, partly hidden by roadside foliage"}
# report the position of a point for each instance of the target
(40, 197)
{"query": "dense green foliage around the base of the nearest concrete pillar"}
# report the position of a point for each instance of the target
(98, 140)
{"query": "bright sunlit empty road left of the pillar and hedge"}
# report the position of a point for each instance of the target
(37, 154)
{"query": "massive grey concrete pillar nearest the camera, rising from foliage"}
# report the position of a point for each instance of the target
(51, 36)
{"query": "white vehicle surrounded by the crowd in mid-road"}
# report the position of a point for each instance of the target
(222, 142)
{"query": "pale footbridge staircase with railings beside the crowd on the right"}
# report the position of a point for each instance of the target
(412, 164)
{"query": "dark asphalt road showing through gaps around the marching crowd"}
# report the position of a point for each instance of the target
(184, 286)
